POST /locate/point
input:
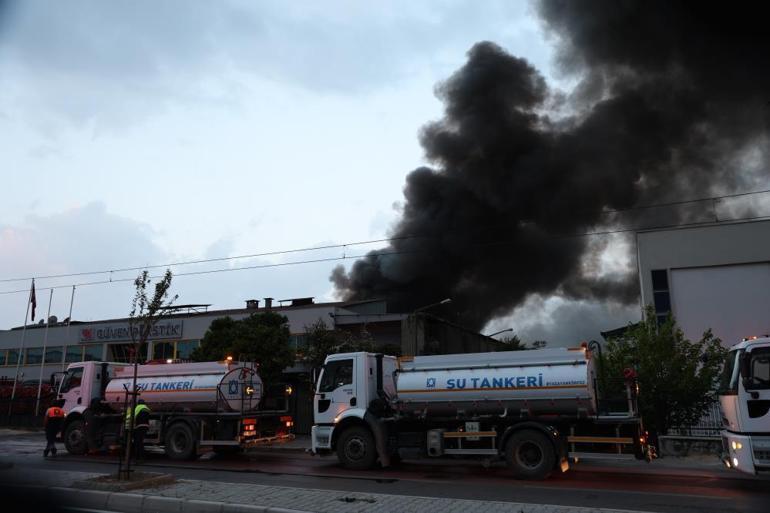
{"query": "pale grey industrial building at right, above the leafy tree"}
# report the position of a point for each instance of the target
(709, 276)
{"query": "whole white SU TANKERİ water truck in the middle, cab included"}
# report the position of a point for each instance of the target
(532, 409)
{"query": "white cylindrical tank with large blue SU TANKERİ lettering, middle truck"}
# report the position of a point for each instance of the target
(545, 382)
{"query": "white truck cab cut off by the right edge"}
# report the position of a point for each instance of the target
(744, 397)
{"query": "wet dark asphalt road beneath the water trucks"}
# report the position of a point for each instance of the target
(659, 486)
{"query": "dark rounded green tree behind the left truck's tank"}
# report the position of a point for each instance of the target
(260, 337)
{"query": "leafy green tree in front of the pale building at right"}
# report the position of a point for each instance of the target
(677, 378)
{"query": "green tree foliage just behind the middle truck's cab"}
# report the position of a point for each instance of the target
(321, 342)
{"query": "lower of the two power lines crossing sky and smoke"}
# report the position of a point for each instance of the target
(384, 253)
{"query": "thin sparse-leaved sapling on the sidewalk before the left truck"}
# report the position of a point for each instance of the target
(145, 313)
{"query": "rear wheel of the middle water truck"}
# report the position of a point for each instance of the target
(530, 454)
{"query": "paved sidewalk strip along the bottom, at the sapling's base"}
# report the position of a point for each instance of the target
(187, 496)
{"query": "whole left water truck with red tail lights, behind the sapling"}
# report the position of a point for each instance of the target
(220, 405)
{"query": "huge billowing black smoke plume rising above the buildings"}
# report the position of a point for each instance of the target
(671, 104)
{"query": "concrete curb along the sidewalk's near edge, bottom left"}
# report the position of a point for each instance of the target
(138, 503)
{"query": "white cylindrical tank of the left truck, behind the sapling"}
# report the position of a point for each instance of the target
(200, 387)
